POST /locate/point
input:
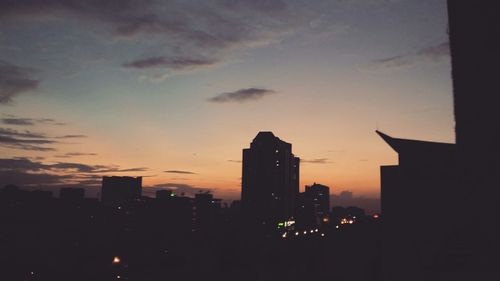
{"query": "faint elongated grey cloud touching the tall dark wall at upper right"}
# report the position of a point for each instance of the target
(432, 54)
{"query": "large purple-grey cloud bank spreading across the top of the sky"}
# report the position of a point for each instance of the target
(185, 34)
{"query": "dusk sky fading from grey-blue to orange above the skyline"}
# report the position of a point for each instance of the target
(174, 90)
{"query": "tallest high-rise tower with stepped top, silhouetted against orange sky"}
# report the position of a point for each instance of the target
(270, 180)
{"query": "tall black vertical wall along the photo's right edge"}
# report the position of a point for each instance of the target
(474, 30)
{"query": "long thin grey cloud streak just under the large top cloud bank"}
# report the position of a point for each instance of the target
(170, 63)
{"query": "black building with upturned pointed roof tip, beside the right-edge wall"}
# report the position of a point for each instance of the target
(414, 197)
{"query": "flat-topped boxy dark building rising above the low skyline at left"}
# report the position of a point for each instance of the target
(120, 189)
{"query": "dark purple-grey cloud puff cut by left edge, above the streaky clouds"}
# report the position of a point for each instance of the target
(15, 80)
